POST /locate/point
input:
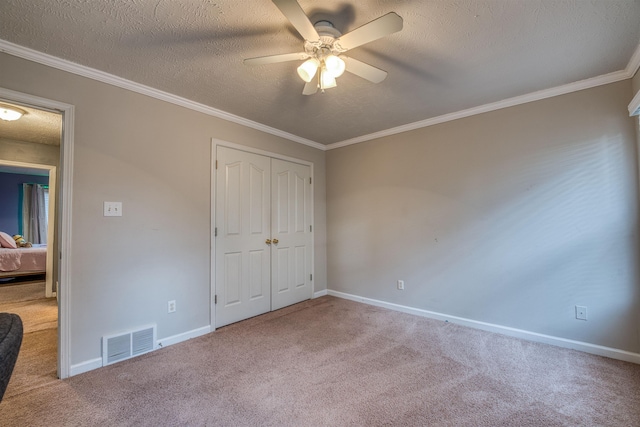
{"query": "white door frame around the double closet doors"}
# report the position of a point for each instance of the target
(215, 143)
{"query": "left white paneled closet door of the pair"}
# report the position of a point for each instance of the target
(243, 206)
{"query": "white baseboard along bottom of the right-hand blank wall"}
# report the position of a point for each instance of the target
(504, 330)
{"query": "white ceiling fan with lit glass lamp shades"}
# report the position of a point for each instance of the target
(324, 48)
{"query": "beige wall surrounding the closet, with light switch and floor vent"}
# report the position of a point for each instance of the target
(155, 158)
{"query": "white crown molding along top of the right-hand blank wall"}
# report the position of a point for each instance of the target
(510, 102)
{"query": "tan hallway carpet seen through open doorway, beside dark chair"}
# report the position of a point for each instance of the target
(37, 361)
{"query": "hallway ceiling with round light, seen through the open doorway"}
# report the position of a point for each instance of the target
(37, 126)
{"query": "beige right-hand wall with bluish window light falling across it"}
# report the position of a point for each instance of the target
(511, 217)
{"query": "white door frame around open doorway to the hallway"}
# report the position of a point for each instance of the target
(65, 174)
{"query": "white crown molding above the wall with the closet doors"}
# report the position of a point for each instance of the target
(81, 70)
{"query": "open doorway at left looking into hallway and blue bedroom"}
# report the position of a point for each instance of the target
(30, 152)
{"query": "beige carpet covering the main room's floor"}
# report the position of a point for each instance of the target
(332, 362)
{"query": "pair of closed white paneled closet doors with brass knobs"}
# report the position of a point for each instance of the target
(264, 241)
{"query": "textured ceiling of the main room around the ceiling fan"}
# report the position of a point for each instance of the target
(450, 56)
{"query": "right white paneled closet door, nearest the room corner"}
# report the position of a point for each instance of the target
(290, 228)
